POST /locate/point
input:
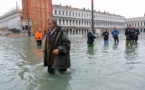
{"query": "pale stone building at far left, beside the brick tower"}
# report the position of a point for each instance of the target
(11, 20)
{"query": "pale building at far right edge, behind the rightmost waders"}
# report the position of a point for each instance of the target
(137, 22)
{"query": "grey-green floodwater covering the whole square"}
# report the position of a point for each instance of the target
(102, 67)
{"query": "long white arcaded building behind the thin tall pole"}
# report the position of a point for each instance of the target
(77, 21)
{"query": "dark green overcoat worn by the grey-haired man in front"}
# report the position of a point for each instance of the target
(59, 41)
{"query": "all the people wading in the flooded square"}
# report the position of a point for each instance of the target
(57, 44)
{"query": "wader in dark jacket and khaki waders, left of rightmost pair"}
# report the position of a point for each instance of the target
(130, 33)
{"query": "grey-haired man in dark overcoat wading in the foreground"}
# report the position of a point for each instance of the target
(57, 48)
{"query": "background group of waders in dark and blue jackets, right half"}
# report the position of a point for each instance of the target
(130, 33)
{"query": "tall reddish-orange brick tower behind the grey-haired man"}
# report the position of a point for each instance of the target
(38, 11)
